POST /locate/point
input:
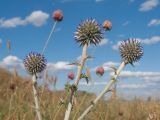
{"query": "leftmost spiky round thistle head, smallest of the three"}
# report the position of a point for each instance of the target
(34, 63)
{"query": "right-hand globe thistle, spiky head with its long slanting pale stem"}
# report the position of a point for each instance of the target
(131, 51)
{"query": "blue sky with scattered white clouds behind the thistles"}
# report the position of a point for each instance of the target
(27, 25)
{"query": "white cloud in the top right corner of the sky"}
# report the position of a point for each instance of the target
(148, 5)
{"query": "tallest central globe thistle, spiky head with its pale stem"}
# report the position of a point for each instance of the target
(88, 32)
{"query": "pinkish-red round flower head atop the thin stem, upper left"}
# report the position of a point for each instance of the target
(58, 15)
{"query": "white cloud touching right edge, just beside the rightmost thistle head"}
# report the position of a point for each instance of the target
(149, 41)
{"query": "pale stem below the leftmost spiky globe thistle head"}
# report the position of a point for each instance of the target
(35, 94)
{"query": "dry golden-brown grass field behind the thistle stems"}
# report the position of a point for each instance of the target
(16, 103)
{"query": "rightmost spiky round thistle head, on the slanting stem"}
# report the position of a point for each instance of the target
(131, 51)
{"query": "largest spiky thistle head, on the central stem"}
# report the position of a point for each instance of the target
(88, 32)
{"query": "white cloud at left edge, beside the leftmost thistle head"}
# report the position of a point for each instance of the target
(11, 62)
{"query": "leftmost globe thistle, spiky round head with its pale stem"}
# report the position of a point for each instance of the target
(35, 63)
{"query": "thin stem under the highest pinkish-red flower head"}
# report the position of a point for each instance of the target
(47, 41)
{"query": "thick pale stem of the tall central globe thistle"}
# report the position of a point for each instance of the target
(79, 71)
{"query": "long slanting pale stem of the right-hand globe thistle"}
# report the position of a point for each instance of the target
(108, 86)
